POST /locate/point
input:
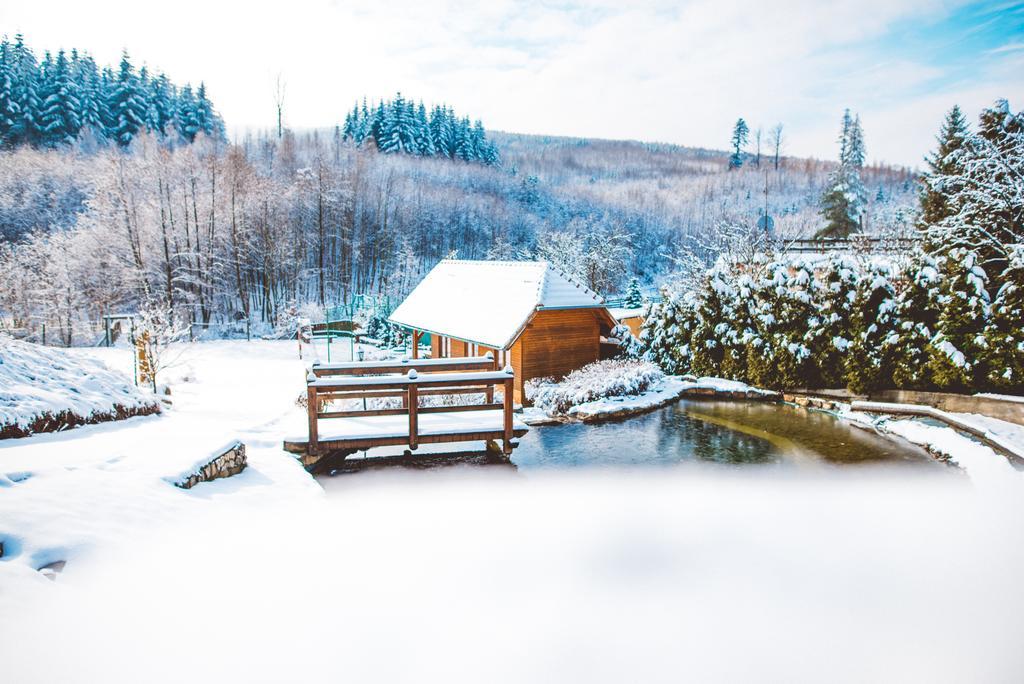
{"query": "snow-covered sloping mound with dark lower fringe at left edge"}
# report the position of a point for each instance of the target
(45, 390)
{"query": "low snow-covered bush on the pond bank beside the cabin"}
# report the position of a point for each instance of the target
(592, 382)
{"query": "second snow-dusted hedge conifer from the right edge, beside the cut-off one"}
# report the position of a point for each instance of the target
(958, 353)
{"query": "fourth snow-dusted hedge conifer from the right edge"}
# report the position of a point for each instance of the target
(874, 329)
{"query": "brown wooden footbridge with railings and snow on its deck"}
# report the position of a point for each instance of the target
(352, 431)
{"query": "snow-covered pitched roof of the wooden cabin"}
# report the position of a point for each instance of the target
(490, 303)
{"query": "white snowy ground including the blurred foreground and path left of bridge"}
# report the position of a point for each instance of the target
(472, 576)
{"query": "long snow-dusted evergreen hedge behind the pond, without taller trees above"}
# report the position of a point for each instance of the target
(911, 322)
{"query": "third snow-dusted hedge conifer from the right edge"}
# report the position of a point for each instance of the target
(918, 311)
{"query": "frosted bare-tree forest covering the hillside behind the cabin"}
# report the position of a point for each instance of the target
(253, 231)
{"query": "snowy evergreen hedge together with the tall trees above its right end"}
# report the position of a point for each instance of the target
(950, 316)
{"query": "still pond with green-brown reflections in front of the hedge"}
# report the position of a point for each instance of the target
(737, 434)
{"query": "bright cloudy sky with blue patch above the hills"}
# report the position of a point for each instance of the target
(656, 71)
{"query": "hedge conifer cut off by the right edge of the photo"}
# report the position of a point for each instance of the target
(1005, 334)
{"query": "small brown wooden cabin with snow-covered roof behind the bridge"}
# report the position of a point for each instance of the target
(529, 314)
